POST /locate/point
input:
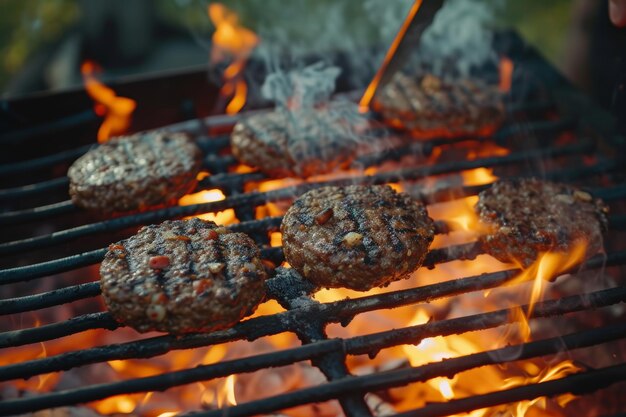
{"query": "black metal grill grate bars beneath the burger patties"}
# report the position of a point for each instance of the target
(304, 316)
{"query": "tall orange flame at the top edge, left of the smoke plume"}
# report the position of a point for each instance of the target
(231, 40)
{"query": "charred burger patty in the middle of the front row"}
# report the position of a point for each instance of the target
(357, 237)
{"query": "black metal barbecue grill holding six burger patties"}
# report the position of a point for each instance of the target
(550, 128)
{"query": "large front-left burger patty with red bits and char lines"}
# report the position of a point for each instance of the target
(182, 276)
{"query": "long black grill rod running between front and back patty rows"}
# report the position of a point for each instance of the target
(257, 198)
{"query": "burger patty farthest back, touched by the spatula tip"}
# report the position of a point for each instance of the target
(431, 107)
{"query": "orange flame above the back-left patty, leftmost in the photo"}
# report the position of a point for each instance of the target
(117, 111)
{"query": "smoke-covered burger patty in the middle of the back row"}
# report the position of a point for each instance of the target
(303, 144)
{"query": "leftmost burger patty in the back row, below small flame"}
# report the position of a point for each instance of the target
(135, 172)
